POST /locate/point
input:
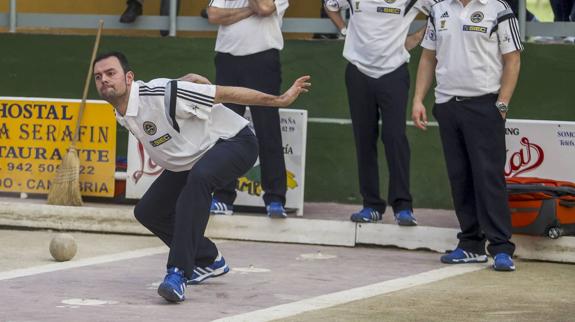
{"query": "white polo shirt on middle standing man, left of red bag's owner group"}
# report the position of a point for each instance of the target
(376, 33)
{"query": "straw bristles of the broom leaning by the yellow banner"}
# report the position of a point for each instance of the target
(65, 188)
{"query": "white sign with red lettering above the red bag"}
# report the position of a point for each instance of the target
(544, 149)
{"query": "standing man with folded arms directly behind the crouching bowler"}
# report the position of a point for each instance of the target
(247, 54)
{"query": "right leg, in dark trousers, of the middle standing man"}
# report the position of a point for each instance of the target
(391, 92)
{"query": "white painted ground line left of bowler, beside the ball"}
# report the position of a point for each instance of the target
(81, 263)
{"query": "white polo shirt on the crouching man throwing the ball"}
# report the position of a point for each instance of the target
(177, 132)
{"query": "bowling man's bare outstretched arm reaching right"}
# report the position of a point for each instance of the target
(246, 96)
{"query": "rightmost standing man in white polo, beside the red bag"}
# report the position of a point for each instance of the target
(473, 46)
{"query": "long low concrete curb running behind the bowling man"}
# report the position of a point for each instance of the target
(261, 228)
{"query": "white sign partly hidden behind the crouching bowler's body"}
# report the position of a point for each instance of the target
(142, 171)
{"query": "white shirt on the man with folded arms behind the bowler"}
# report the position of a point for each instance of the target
(251, 35)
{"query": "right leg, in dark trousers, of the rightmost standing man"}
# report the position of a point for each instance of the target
(484, 133)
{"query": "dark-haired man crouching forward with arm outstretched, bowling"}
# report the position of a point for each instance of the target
(202, 145)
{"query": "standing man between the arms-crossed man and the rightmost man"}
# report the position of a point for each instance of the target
(377, 82)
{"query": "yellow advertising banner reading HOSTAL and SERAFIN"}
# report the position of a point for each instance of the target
(35, 134)
